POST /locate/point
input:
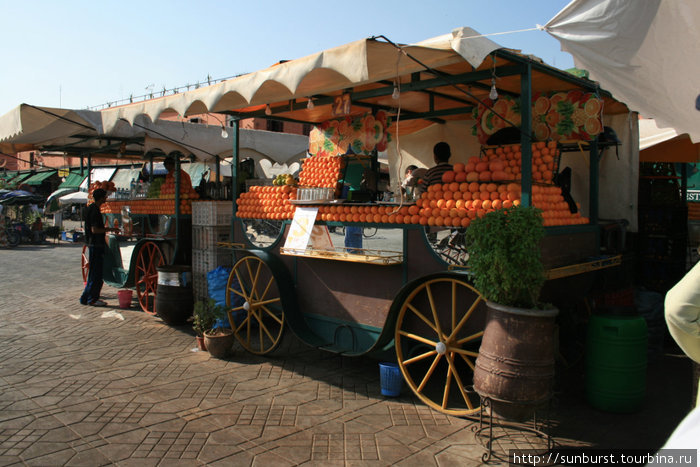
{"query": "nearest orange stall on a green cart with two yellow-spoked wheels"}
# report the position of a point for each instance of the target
(374, 96)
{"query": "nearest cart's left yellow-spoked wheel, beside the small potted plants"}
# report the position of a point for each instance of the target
(254, 305)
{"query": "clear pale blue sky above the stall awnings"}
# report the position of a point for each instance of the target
(84, 54)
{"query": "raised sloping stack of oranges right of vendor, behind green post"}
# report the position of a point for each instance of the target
(504, 163)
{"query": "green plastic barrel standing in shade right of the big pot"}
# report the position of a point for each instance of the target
(616, 362)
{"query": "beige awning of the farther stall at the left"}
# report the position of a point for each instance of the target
(29, 127)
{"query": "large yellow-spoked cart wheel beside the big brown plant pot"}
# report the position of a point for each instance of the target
(437, 338)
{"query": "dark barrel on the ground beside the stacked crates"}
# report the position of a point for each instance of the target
(174, 297)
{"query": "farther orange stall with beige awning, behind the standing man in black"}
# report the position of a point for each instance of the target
(154, 214)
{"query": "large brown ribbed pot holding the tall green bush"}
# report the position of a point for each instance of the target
(515, 366)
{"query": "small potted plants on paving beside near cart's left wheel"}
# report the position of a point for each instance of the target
(207, 316)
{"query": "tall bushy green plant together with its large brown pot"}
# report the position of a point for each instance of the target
(515, 366)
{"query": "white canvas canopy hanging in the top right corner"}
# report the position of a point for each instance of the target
(644, 52)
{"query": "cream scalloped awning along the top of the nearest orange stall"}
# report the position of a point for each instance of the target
(357, 63)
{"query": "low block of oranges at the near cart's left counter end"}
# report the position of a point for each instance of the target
(267, 202)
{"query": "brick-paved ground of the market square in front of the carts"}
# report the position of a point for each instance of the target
(91, 386)
